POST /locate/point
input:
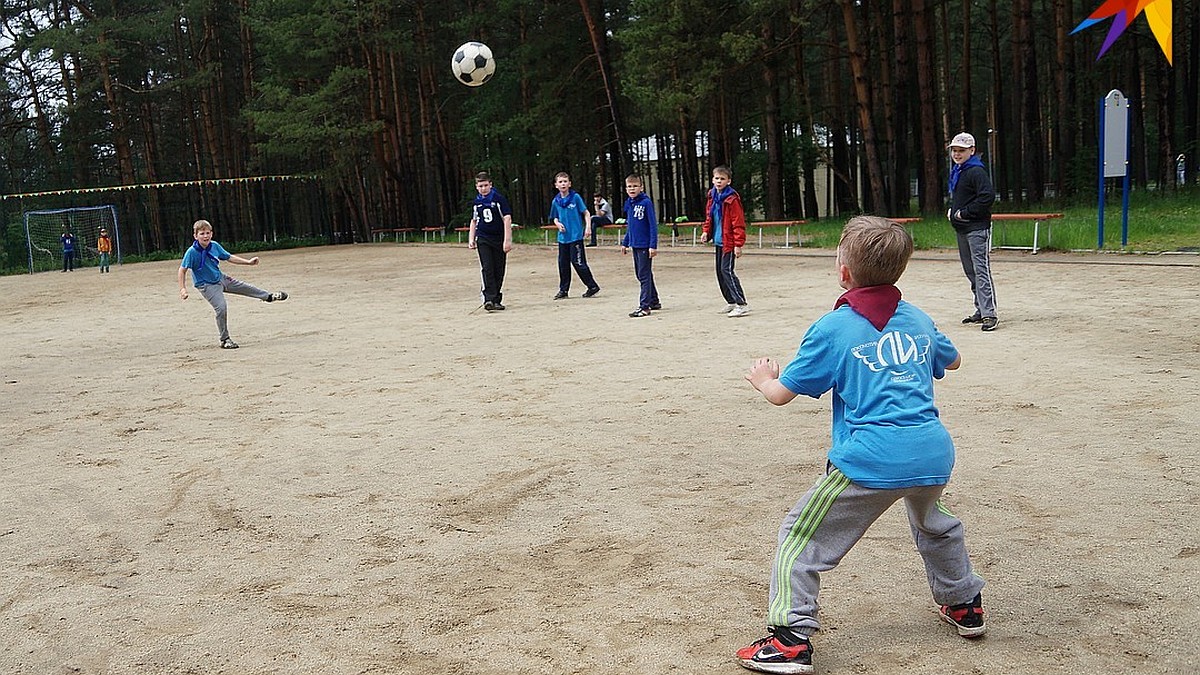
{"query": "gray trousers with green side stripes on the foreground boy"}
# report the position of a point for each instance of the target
(833, 517)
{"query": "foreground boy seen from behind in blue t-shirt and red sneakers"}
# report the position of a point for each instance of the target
(879, 356)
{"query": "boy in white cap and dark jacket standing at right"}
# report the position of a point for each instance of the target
(971, 199)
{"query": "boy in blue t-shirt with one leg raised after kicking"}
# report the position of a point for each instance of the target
(203, 258)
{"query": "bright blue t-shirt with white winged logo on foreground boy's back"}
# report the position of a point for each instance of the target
(887, 433)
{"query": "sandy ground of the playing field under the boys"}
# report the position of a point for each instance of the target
(385, 480)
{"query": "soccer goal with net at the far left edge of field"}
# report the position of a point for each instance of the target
(44, 232)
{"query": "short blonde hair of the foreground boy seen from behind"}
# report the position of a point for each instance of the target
(877, 250)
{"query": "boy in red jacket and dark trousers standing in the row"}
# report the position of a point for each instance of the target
(725, 225)
